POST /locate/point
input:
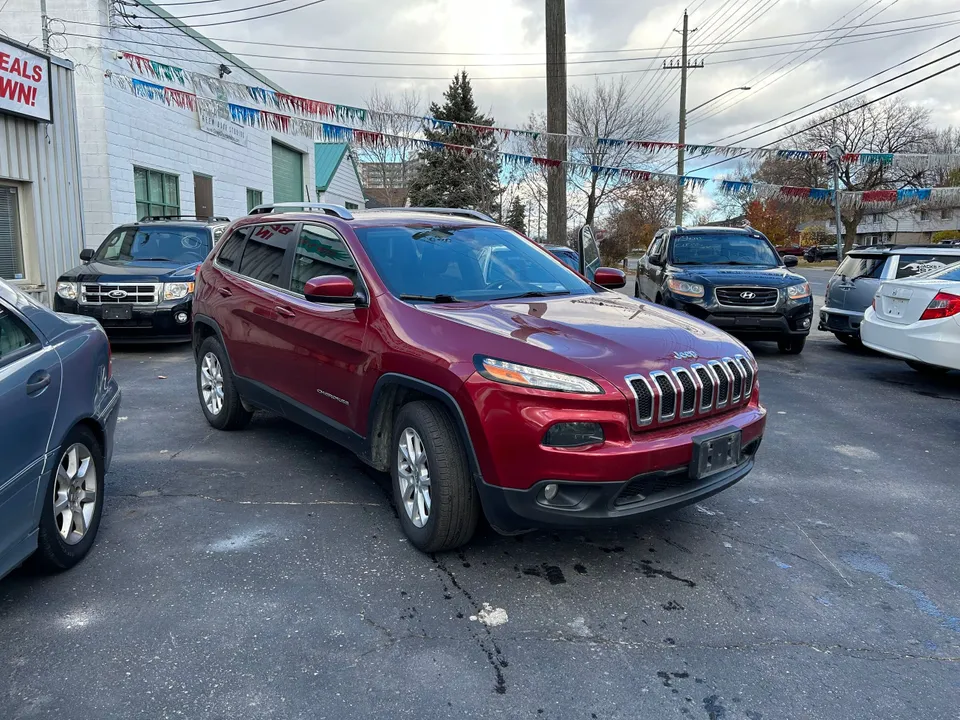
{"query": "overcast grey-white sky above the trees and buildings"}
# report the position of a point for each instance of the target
(510, 36)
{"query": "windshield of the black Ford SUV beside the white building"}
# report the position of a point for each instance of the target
(161, 244)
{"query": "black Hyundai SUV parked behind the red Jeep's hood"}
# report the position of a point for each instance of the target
(730, 277)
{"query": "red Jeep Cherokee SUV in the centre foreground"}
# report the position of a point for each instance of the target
(475, 367)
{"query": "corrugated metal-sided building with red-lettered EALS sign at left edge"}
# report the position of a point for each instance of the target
(40, 214)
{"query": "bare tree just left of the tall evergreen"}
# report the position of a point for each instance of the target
(392, 162)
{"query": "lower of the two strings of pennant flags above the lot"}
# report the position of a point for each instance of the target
(323, 131)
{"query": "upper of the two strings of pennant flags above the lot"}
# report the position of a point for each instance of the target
(217, 88)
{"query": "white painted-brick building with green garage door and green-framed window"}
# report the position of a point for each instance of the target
(140, 157)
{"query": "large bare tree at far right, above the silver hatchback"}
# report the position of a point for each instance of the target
(891, 126)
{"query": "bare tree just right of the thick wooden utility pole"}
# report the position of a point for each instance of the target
(608, 110)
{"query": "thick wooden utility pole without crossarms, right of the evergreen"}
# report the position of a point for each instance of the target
(556, 32)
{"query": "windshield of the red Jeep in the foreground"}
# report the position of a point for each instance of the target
(452, 263)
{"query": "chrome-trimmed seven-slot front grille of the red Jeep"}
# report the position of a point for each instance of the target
(681, 393)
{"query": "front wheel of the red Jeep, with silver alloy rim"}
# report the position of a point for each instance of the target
(436, 499)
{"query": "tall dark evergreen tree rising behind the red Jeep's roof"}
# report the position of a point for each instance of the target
(451, 179)
